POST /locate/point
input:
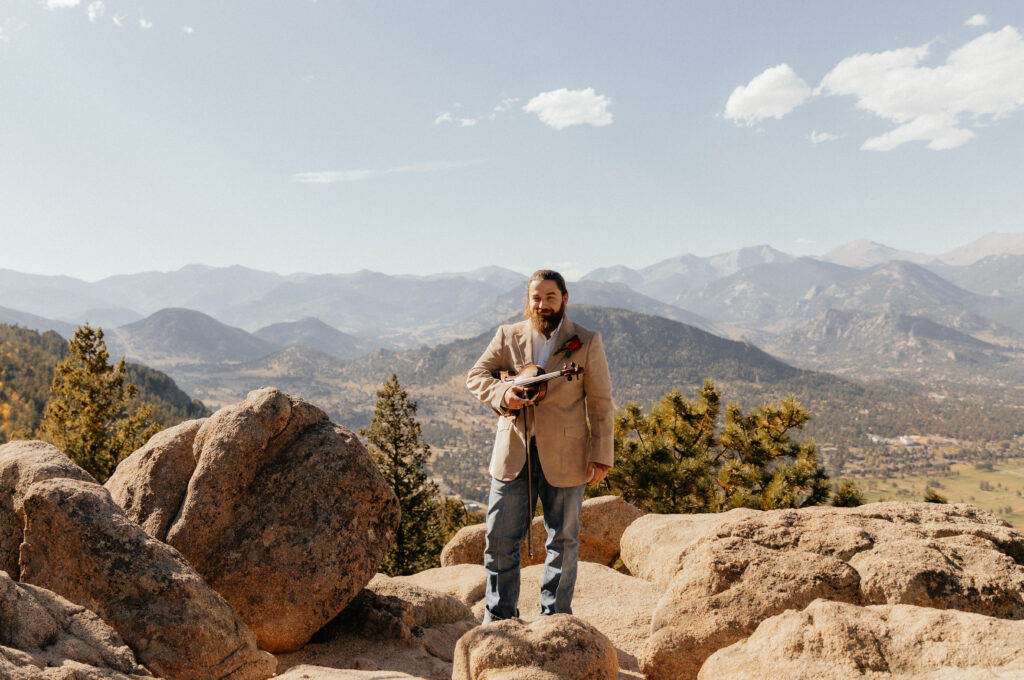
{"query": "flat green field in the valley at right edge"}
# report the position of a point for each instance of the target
(994, 490)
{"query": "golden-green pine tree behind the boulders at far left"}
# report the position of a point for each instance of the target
(88, 416)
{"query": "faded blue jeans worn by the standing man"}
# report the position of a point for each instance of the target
(509, 514)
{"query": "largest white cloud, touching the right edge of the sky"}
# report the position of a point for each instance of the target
(979, 82)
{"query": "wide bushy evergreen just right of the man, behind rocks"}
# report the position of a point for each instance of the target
(677, 459)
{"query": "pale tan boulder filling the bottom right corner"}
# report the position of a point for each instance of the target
(838, 642)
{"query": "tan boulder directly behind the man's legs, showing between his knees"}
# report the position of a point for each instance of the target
(603, 522)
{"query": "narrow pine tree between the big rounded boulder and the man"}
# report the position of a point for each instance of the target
(402, 455)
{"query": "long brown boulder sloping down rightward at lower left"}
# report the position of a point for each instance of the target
(79, 544)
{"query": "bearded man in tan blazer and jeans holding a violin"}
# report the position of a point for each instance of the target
(568, 438)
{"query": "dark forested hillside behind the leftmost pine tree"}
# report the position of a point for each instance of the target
(27, 363)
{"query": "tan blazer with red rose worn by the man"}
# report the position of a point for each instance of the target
(565, 443)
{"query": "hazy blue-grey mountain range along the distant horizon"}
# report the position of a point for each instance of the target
(208, 316)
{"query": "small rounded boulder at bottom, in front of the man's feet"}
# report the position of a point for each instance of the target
(557, 648)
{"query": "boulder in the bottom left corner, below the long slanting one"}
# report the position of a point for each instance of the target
(45, 636)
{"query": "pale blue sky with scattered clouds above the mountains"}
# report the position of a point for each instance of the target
(414, 138)
